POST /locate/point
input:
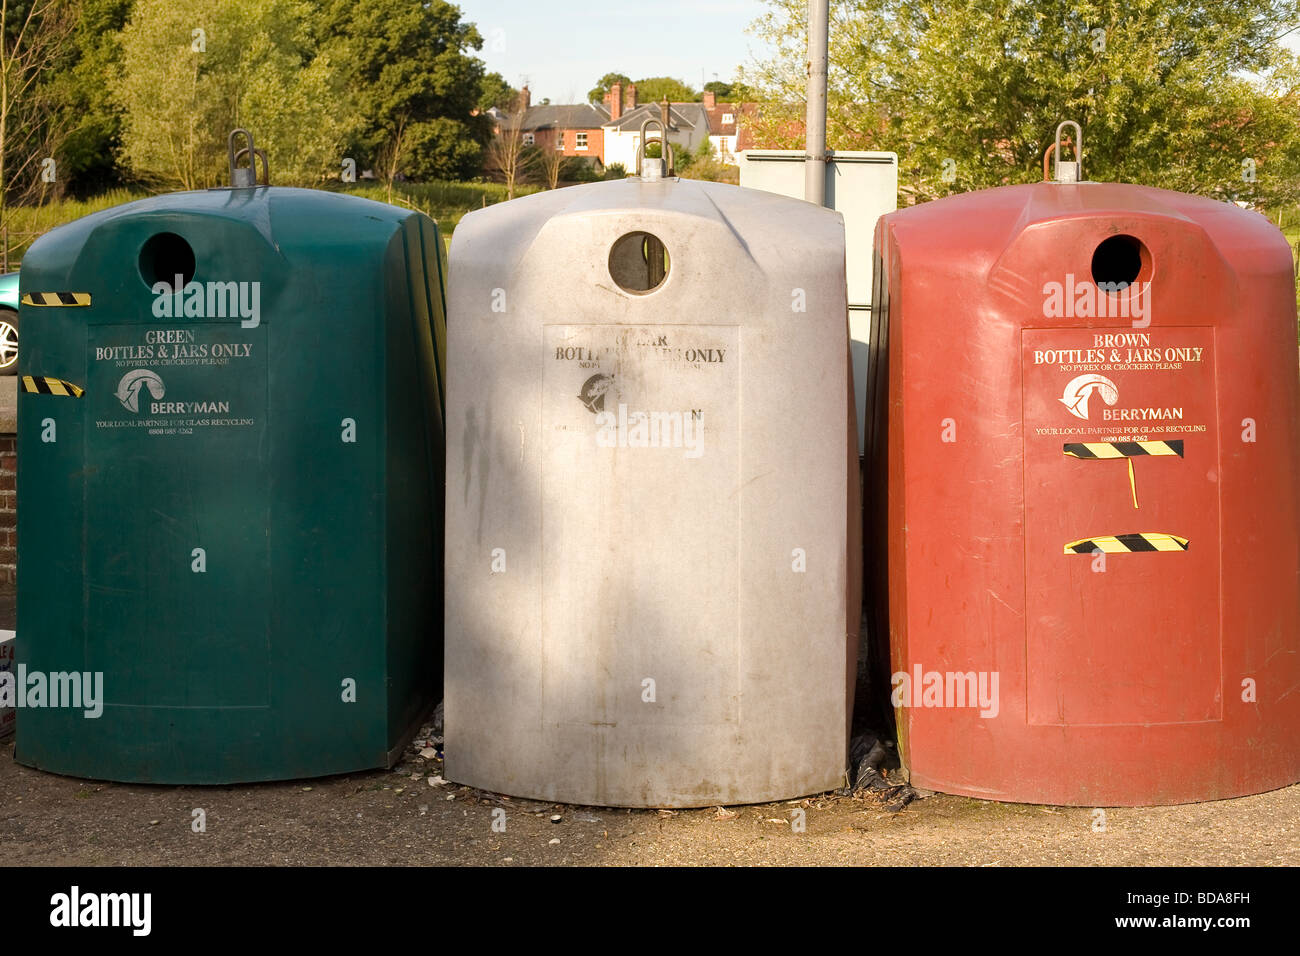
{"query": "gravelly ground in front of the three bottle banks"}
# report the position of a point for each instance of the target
(398, 817)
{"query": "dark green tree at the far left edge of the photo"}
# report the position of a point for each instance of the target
(32, 129)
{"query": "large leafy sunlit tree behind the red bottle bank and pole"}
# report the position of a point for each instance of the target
(1171, 93)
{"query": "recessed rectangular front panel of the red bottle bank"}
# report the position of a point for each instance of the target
(1121, 462)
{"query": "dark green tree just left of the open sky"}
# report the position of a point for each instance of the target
(411, 70)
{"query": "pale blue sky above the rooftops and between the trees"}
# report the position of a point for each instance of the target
(564, 47)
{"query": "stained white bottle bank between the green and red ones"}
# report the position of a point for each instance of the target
(653, 548)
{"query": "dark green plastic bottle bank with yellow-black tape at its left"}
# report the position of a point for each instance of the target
(232, 487)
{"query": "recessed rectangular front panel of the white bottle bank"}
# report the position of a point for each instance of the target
(640, 522)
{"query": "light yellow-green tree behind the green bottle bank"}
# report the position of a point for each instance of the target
(226, 64)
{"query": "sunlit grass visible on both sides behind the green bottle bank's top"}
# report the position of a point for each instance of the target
(444, 202)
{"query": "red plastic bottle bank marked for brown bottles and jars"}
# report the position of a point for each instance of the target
(1123, 677)
